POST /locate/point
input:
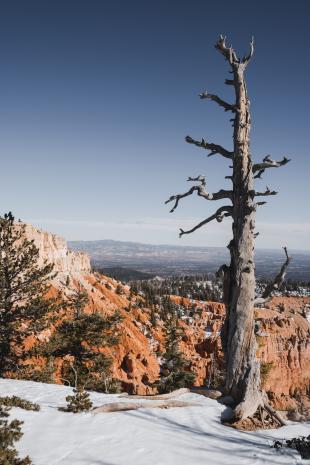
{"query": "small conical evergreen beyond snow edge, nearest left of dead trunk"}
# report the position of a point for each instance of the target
(175, 368)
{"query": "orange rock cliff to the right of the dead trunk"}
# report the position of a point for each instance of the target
(284, 340)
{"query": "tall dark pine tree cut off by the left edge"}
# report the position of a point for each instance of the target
(23, 288)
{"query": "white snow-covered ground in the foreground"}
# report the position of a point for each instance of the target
(183, 436)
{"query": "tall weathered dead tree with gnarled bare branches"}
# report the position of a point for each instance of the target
(239, 343)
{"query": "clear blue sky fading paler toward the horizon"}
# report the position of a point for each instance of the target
(97, 96)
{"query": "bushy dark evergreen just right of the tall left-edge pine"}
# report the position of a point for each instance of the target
(79, 341)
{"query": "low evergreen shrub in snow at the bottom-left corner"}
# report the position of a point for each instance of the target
(10, 432)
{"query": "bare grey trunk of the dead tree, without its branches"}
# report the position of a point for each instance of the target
(242, 368)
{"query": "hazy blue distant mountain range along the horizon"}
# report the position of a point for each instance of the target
(166, 260)
